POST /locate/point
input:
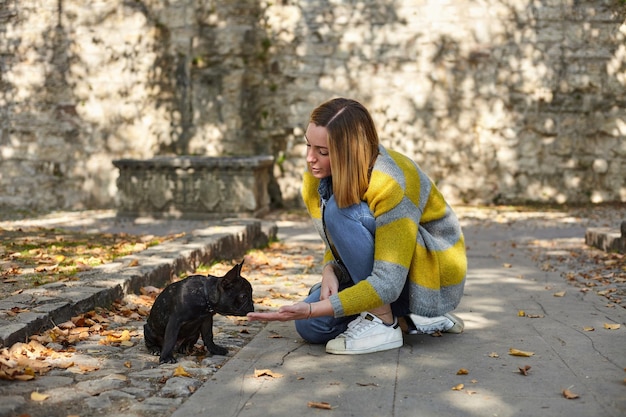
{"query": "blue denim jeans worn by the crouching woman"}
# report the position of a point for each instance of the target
(351, 230)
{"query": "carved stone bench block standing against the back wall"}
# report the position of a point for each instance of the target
(194, 186)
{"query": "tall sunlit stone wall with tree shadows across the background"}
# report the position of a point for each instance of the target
(499, 100)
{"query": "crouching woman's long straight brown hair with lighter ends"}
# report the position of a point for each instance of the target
(352, 146)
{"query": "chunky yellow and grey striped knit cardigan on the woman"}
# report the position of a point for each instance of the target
(417, 235)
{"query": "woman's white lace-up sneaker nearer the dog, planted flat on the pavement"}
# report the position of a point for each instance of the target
(366, 334)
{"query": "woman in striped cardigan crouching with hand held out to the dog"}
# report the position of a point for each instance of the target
(394, 247)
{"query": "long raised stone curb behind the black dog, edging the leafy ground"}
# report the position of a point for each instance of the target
(54, 303)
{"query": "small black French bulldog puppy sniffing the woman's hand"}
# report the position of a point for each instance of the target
(184, 310)
